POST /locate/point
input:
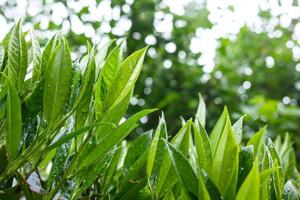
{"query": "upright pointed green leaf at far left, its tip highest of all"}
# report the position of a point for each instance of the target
(17, 57)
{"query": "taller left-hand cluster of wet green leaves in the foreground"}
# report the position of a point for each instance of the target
(65, 115)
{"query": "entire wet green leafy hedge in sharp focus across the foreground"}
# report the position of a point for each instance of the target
(63, 135)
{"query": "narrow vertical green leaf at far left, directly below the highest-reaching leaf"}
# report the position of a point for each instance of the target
(14, 120)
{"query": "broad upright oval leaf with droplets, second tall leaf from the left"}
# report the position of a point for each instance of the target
(57, 81)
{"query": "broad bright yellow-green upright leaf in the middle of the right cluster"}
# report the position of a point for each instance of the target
(225, 161)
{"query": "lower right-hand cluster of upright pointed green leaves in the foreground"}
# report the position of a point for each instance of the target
(198, 165)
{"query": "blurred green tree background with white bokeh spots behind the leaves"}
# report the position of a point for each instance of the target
(243, 54)
